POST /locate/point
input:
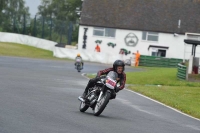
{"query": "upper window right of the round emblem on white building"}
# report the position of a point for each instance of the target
(150, 36)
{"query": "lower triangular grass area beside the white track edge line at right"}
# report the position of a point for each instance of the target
(185, 99)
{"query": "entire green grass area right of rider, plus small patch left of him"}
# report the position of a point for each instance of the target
(182, 95)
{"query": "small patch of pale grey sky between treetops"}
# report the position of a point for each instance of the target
(33, 6)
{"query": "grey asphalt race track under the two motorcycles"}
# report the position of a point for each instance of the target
(40, 96)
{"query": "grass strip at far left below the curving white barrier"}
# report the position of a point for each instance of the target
(19, 50)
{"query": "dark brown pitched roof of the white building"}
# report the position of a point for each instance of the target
(145, 15)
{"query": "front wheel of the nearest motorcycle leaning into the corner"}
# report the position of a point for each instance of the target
(100, 106)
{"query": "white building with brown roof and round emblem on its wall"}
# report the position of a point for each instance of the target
(154, 27)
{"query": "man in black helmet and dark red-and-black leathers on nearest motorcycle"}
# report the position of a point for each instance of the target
(118, 67)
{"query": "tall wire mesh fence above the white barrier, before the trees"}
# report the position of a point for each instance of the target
(61, 31)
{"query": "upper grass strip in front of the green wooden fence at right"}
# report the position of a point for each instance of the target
(158, 76)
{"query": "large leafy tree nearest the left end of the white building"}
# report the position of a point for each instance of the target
(60, 13)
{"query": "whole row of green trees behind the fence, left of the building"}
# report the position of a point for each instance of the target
(52, 20)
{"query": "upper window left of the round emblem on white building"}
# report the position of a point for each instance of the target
(107, 32)
